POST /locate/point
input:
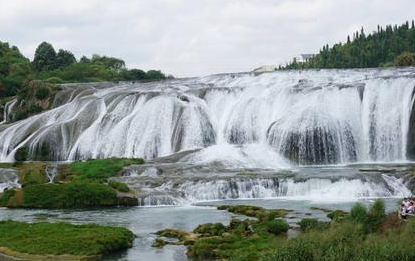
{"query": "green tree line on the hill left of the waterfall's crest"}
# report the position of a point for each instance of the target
(62, 67)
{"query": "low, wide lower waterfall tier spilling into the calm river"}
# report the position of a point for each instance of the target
(317, 189)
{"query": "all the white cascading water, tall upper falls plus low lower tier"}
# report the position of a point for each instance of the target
(234, 122)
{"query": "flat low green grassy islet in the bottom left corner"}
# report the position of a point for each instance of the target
(63, 238)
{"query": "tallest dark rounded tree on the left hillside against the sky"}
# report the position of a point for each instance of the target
(45, 57)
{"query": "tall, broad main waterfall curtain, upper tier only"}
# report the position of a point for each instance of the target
(298, 117)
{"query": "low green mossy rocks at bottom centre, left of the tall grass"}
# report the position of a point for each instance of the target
(240, 240)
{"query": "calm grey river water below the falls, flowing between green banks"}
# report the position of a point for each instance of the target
(145, 221)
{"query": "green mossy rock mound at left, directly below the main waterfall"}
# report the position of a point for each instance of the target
(79, 184)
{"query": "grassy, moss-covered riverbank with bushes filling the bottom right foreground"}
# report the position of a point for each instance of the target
(362, 234)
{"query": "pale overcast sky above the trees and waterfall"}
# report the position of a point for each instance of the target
(193, 37)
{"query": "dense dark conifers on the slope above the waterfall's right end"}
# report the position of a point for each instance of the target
(393, 45)
